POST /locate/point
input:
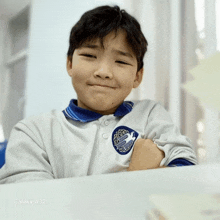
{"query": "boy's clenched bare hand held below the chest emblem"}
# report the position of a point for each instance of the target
(146, 155)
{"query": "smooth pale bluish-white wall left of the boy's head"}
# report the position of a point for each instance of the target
(48, 84)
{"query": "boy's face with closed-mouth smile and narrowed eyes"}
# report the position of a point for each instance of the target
(104, 76)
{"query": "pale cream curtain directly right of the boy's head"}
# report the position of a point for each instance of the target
(154, 18)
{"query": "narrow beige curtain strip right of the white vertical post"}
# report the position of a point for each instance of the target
(192, 112)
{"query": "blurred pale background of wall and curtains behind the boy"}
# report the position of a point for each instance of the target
(181, 34)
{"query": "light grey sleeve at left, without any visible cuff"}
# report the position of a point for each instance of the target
(25, 158)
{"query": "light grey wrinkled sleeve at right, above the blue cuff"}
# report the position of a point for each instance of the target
(166, 135)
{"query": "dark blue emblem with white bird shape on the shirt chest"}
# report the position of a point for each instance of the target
(123, 139)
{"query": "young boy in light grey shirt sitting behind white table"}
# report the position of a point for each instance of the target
(99, 132)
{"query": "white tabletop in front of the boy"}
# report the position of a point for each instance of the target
(110, 196)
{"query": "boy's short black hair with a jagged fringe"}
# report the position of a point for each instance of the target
(100, 21)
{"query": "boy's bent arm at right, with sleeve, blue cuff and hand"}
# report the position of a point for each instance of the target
(162, 145)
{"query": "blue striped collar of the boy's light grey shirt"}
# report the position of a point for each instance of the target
(83, 115)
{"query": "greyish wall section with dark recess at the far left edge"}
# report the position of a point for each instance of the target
(12, 67)
